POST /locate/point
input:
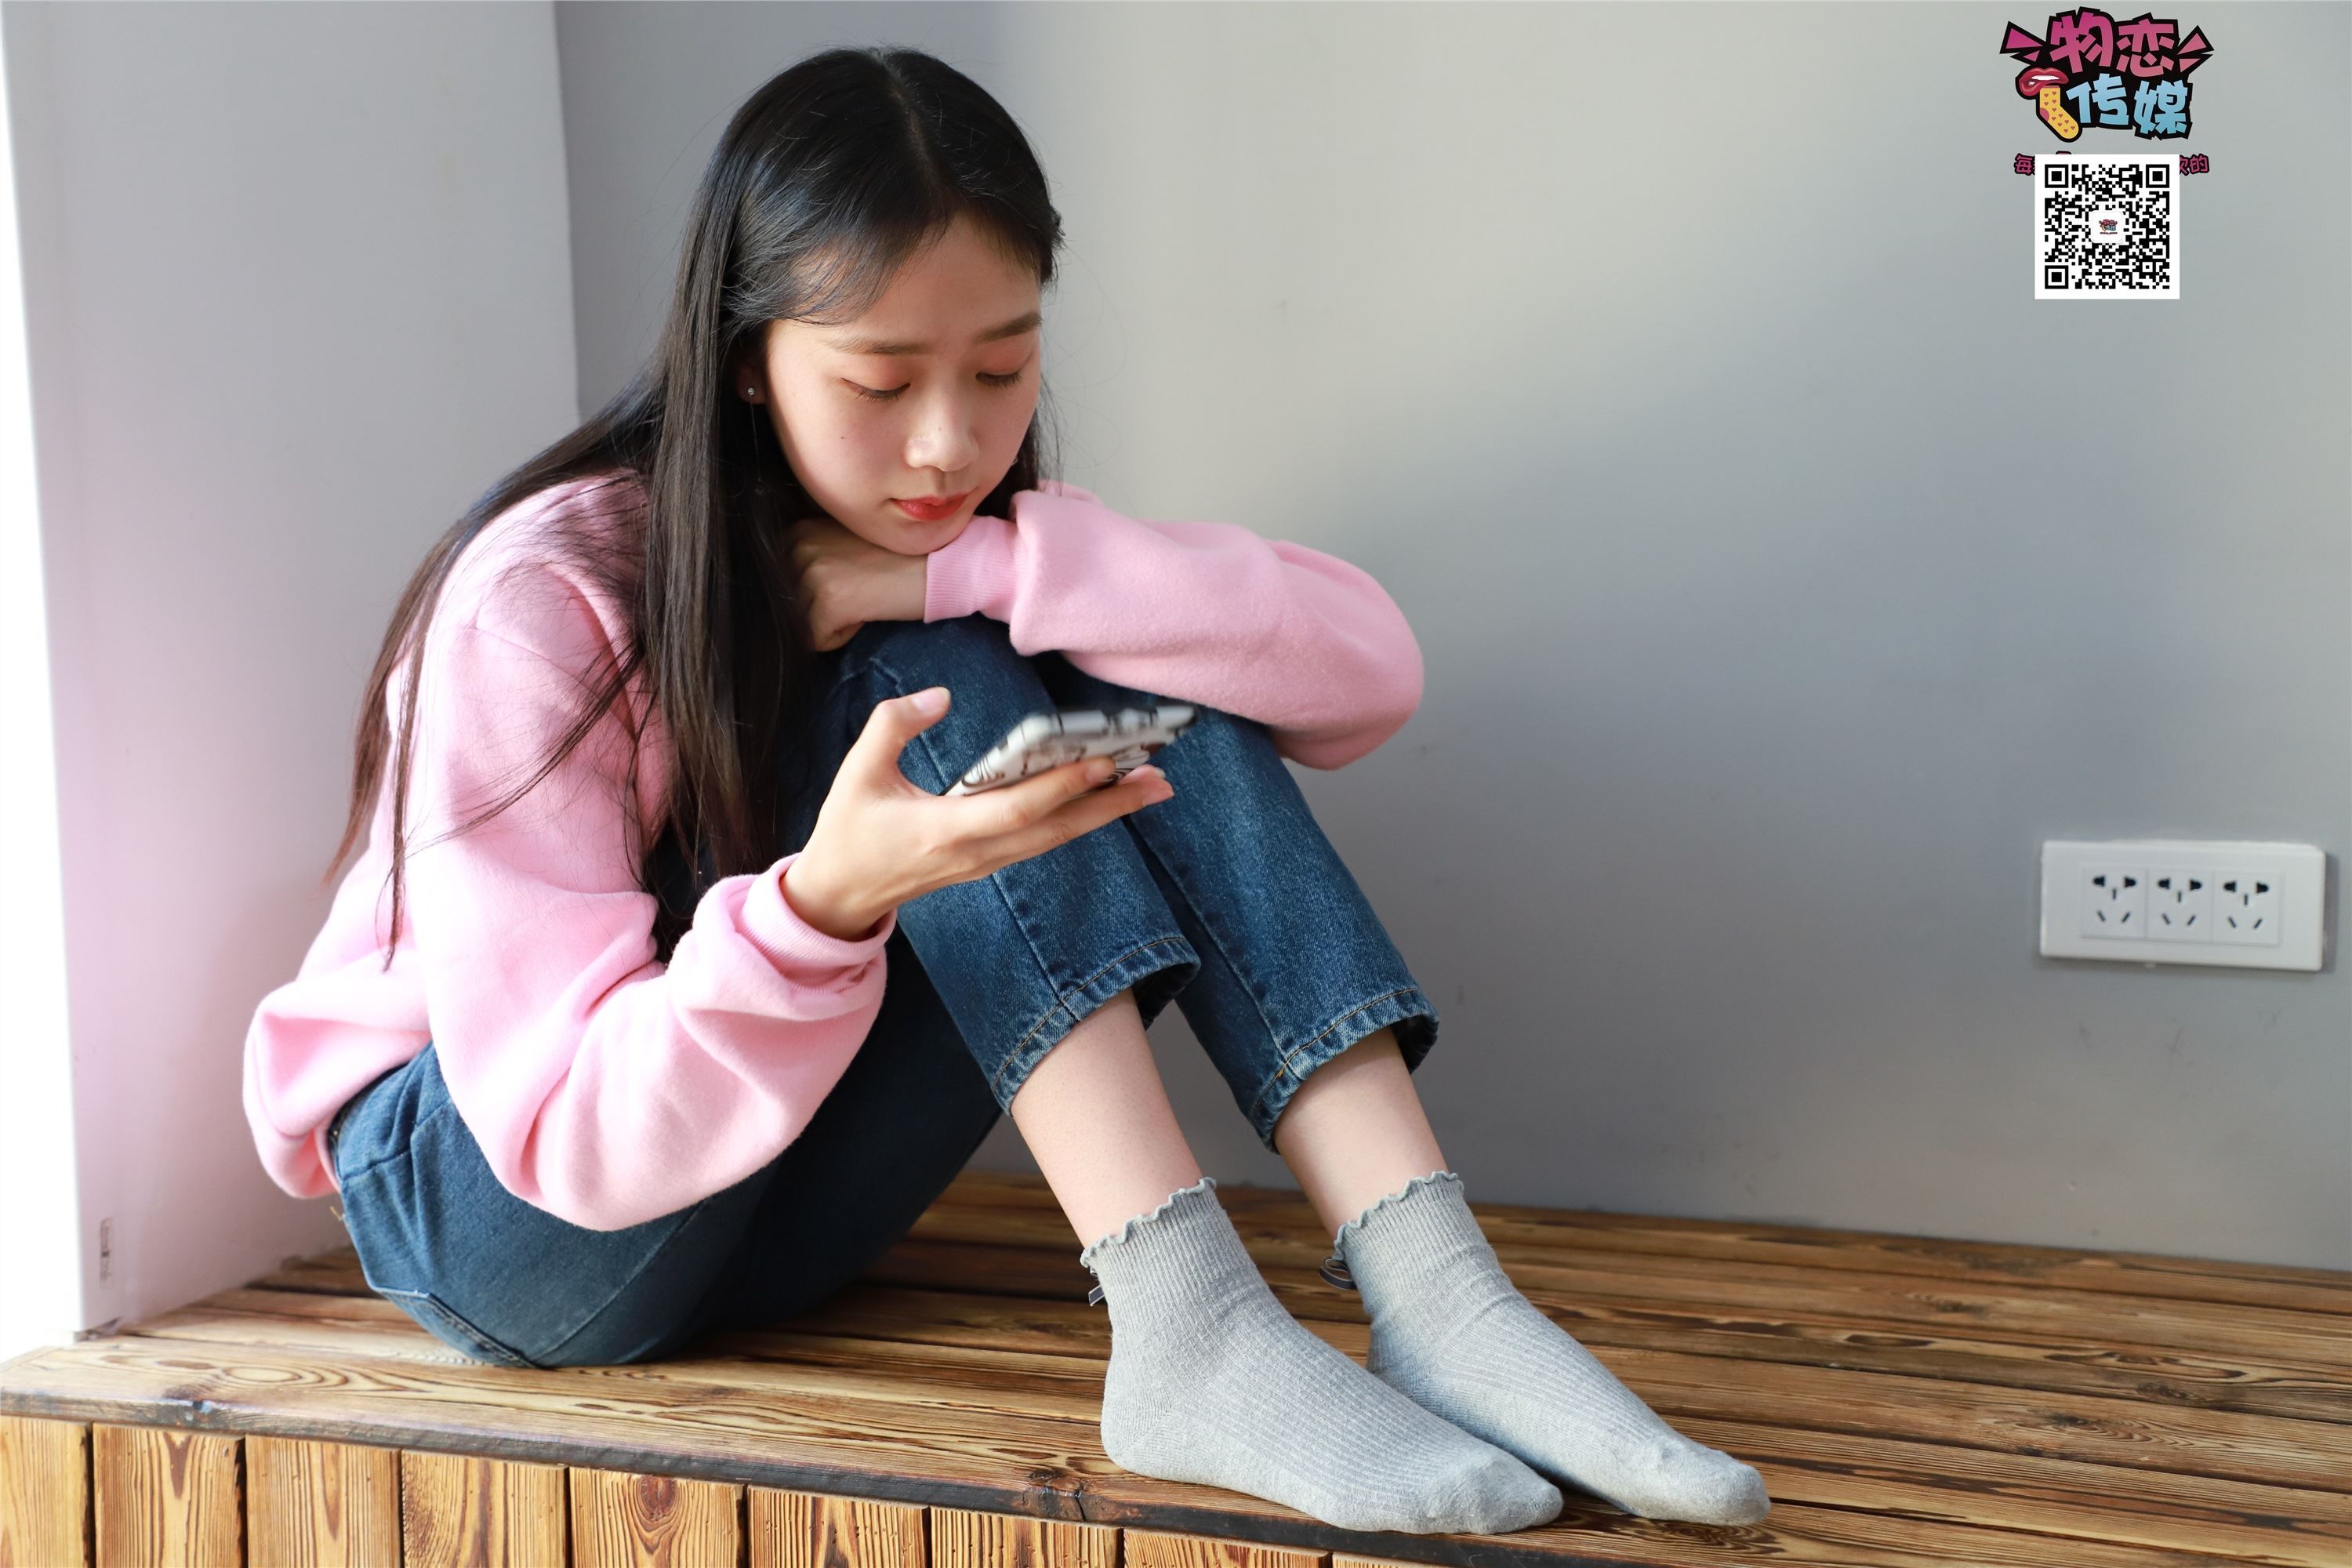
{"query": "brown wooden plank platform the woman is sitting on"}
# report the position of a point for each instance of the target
(1909, 1402)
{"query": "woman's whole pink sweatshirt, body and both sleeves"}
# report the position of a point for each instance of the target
(613, 1090)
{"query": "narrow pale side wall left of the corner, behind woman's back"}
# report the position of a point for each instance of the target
(298, 290)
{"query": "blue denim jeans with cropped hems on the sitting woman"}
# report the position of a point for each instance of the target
(1227, 899)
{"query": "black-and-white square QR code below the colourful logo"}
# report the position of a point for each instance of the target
(2106, 227)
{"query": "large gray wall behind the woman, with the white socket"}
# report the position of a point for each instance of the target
(1784, 570)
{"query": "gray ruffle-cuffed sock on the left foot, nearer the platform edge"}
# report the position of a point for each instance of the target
(1215, 1383)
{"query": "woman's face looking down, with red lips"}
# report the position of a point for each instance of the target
(923, 396)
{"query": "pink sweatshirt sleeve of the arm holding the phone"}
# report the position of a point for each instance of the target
(603, 1087)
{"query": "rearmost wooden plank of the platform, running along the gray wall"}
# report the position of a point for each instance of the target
(1024, 1212)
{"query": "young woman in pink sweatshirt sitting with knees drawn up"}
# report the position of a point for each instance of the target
(596, 1045)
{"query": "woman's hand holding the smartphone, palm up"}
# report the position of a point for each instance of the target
(883, 840)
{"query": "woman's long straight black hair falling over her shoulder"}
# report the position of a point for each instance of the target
(827, 180)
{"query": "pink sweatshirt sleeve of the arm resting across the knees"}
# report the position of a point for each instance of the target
(1201, 612)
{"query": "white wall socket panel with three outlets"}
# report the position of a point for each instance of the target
(2177, 902)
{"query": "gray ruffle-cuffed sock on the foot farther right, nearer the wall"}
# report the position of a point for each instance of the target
(1450, 1329)
